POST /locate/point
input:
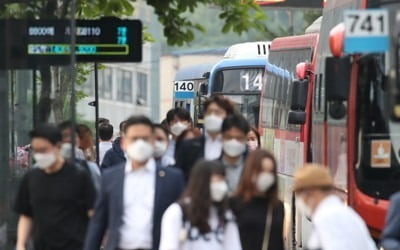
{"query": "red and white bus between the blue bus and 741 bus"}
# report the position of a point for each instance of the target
(288, 141)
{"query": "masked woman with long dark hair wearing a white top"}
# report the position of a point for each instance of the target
(200, 219)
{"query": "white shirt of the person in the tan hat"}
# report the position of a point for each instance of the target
(337, 226)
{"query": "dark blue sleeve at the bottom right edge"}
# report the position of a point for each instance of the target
(391, 232)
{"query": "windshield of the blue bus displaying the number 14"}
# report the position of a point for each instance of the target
(238, 81)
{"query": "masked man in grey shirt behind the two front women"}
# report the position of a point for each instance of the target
(234, 148)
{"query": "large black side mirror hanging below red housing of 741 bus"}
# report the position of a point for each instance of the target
(337, 78)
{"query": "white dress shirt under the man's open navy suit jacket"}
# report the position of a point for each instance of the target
(138, 202)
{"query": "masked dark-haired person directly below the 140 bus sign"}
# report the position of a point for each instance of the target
(178, 120)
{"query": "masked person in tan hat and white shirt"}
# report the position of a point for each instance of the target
(335, 225)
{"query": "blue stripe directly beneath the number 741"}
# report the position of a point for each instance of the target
(366, 44)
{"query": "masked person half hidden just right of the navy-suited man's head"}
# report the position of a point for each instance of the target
(161, 146)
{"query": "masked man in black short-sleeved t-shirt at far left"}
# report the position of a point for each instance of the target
(55, 199)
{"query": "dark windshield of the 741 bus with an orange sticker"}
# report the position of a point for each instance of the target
(378, 168)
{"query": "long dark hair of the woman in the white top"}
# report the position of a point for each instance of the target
(196, 200)
